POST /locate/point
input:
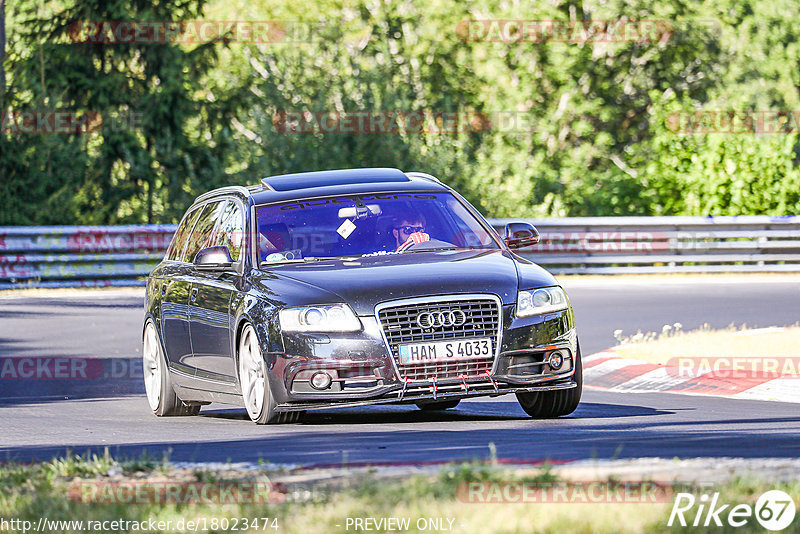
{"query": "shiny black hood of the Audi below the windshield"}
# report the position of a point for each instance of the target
(364, 282)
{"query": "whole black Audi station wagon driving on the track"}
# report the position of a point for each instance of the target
(348, 288)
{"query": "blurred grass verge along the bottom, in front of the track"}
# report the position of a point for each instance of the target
(33, 491)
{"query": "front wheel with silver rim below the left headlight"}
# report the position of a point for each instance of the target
(256, 394)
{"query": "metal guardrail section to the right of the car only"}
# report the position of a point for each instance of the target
(615, 245)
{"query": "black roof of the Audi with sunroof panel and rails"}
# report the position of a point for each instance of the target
(331, 182)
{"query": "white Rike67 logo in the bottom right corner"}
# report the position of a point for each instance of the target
(774, 510)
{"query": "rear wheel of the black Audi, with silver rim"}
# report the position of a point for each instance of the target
(157, 381)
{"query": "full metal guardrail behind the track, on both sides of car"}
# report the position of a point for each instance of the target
(65, 256)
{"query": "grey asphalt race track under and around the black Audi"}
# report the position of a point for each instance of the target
(106, 325)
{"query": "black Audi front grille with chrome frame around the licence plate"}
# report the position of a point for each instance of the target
(400, 326)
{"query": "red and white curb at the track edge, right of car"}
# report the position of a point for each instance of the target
(605, 370)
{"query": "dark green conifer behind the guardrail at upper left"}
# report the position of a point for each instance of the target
(161, 140)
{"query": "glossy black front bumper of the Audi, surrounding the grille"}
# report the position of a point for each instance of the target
(364, 371)
